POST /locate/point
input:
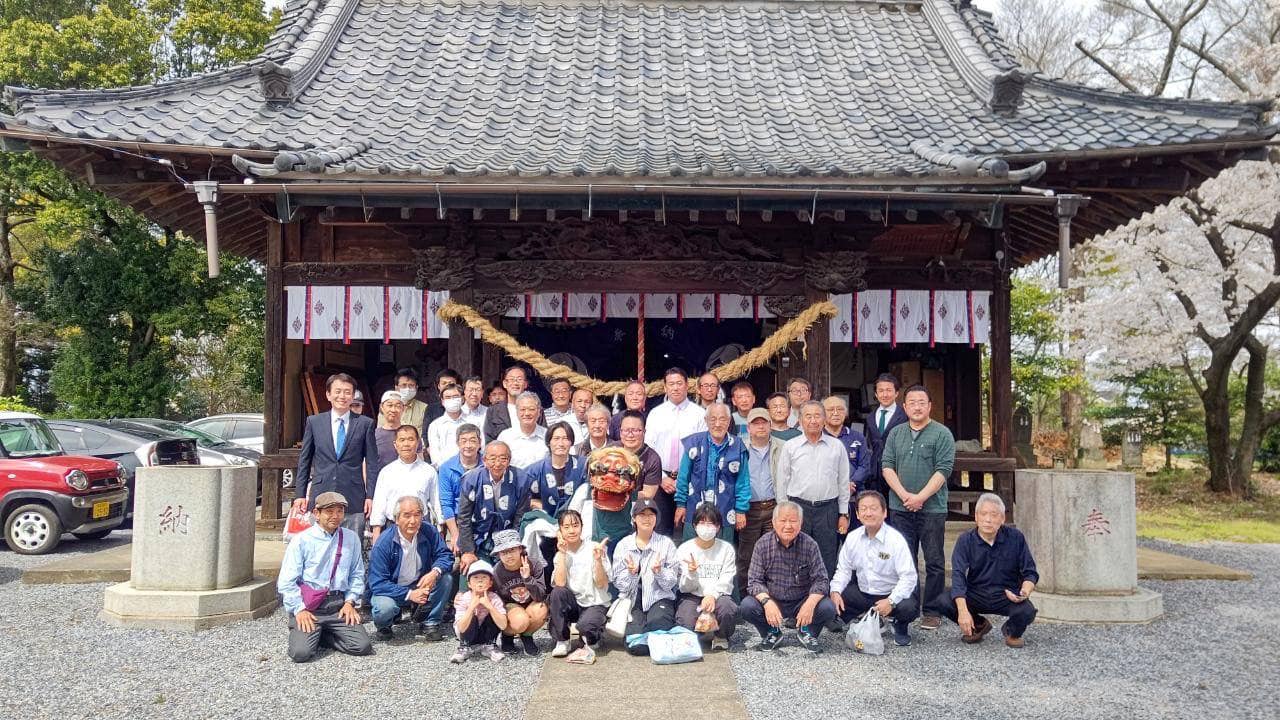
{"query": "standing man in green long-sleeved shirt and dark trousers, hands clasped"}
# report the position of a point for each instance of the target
(917, 462)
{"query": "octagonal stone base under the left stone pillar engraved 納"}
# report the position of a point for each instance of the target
(189, 610)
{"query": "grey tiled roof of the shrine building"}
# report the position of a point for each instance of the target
(657, 89)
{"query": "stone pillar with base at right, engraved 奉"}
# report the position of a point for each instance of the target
(1082, 528)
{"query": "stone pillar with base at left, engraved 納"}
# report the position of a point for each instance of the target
(193, 564)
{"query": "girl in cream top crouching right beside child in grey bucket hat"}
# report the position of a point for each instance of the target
(580, 590)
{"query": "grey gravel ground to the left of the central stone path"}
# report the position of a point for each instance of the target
(62, 662)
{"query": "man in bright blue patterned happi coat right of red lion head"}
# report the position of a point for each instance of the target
(714, 470)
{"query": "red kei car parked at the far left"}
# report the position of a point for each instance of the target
(45, 493)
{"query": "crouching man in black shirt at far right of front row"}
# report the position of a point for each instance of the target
(993, 572)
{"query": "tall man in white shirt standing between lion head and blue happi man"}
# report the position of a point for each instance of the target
(668, 426)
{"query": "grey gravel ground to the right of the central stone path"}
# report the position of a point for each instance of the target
(1213, 655)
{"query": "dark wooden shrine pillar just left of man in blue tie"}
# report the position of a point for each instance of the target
(273, 368)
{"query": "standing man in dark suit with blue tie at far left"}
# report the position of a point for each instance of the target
(336, 448)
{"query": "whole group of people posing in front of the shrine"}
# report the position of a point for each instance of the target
(779, 517)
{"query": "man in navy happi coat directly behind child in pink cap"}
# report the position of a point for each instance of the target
(492, 498)
